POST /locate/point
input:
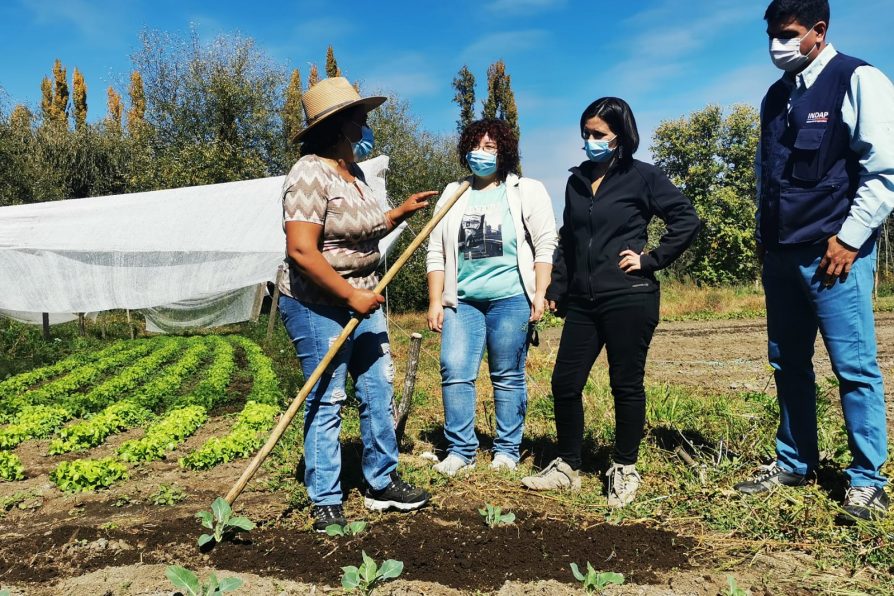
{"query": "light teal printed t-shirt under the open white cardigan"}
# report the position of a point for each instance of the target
(488, 253)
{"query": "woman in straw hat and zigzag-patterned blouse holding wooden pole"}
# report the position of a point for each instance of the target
(332, 224)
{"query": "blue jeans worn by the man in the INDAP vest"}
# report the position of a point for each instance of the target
(797, 306)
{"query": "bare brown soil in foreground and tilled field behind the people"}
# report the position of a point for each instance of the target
(116, 542)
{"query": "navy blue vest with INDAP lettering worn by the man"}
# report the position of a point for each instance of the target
(809, 175)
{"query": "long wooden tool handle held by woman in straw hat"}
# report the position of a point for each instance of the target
(311, 381)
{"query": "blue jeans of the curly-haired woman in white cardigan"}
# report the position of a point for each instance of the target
(502, 326)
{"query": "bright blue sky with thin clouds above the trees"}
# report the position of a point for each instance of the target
(665, 57)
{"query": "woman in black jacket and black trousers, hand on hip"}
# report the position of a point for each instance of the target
(604, 280)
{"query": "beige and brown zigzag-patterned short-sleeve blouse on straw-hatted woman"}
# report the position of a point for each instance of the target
(353, 222)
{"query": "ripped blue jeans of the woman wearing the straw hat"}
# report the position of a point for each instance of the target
(366, 356)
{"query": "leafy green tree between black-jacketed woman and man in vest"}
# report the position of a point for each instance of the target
(710, 157)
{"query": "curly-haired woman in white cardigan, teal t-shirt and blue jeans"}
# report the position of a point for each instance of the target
(489, 264)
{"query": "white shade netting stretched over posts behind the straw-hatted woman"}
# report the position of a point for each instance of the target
(189, 256)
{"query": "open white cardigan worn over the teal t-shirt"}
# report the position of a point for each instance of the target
(528, 200)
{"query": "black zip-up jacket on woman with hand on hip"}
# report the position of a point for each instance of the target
(596, 229)
